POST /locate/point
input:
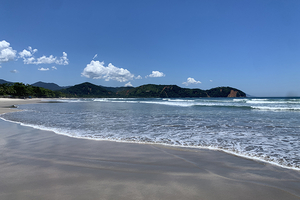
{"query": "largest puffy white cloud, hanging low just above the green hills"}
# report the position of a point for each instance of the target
(97, 70)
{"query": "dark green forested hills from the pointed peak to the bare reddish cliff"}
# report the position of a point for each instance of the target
(149, 91)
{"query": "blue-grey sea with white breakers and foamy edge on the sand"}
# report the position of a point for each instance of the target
(265, 129)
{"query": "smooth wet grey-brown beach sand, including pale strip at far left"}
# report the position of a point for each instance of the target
(37, 164)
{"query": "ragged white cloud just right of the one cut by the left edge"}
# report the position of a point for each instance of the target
(28, 58)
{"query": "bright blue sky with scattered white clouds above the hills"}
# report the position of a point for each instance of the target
(251, 45)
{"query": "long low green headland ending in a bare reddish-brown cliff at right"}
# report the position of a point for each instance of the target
(174, 91)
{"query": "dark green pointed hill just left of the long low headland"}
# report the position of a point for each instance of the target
(87, 90)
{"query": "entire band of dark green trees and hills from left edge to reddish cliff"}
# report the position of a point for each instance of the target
(89, 90)
